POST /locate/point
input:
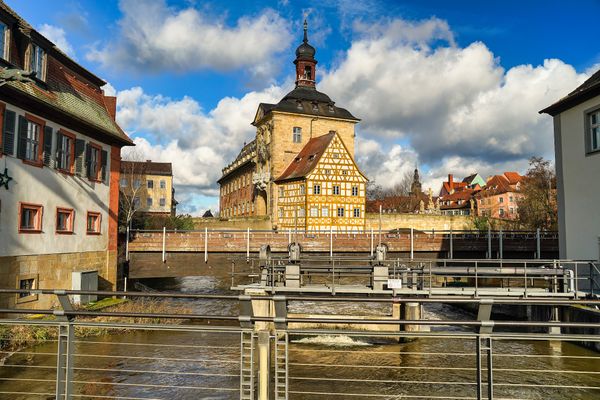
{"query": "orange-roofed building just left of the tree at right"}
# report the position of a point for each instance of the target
(498, 199)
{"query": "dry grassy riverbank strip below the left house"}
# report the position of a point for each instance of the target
(14, 337)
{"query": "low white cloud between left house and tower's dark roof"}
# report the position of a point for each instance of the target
(198, 143)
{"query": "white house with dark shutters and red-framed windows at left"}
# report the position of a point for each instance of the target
(59, 178)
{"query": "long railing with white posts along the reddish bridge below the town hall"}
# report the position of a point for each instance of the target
(405, 240)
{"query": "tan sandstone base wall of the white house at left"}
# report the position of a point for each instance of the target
(53, 271)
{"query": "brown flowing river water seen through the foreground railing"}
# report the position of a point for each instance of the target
(205, 365)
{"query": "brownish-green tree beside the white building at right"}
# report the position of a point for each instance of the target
(537, 204)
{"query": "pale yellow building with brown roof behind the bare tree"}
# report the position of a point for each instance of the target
(151, 184)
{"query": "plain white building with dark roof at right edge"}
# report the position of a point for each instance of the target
(577, 150)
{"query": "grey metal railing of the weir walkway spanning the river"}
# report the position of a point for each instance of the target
(429, 277)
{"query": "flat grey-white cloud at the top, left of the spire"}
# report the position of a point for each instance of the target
(155, 37)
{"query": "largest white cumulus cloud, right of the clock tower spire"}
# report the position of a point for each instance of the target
(410, 82)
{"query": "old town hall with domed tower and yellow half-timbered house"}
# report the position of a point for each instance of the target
(300, 169)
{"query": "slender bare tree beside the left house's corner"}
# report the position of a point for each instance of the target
(131, 182)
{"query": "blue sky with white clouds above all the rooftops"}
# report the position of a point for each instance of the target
(453, 87)
